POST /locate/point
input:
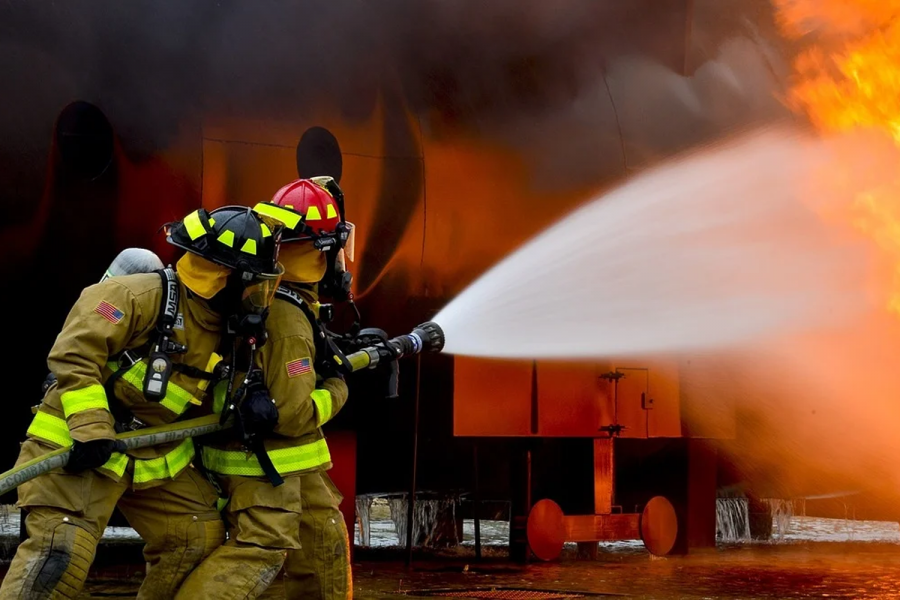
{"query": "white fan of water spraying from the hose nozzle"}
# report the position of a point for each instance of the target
(712, 249)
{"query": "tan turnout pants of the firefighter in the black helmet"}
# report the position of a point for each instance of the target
(67, 514)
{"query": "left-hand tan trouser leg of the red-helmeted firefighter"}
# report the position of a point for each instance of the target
(263, 525)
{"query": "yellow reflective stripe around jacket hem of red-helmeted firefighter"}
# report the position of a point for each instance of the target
(286, 460)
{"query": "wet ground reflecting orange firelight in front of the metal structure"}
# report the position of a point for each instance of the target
(808, 570)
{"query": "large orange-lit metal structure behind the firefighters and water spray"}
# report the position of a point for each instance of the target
(228, 105)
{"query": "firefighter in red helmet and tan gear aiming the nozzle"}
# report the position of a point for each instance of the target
(300, 516)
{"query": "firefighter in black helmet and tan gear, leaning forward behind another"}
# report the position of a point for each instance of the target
(138, 350)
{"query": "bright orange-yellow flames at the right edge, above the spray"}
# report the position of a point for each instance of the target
(849, 79)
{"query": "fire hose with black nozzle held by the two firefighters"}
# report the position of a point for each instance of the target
(426, 337)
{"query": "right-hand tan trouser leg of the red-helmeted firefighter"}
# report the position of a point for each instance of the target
(320, 569)
